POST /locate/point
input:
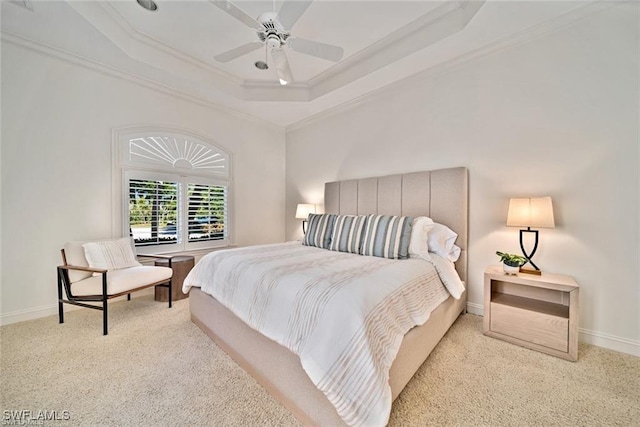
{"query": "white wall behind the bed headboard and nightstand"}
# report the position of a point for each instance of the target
(556, 115)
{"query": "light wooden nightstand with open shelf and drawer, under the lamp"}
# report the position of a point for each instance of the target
(537, 312)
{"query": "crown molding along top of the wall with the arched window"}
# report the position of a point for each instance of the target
(109, 70)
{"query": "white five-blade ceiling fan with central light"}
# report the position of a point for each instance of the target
(273, 31)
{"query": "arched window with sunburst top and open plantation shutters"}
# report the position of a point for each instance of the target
(175, 192)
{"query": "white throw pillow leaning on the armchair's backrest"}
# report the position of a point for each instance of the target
(113, 254)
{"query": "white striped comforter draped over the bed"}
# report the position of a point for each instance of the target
(344, 315)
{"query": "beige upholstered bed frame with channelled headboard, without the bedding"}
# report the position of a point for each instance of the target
(440, 195)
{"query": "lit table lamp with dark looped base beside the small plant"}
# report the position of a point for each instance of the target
(530, 212)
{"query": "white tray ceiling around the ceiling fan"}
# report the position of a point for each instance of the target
(174, 46)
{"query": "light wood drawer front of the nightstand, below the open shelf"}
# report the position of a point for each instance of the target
(537, 327)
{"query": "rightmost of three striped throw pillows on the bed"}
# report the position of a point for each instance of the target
(387, 236)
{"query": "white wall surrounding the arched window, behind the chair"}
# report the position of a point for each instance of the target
(57, 119)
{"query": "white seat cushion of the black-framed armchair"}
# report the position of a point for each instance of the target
(122, 280)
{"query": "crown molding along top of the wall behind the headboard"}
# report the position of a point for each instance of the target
(519, 38)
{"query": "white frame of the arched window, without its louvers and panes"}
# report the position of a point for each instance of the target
(125, 168)
